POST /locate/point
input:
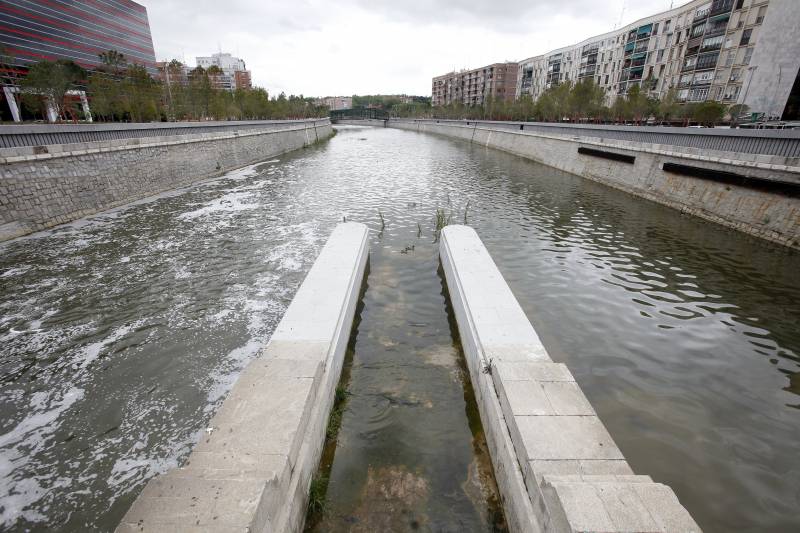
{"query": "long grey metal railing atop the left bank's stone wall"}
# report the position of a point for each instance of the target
(49, 134)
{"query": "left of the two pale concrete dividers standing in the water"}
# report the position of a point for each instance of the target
(252, 469)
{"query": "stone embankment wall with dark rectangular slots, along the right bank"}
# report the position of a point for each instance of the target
(753, 193)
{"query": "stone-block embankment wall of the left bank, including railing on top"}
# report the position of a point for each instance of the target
(45, 185)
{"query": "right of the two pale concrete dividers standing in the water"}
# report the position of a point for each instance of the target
(557, 467)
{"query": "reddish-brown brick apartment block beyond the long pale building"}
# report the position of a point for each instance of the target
(473, 87)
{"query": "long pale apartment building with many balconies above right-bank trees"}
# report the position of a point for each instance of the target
(732, 51)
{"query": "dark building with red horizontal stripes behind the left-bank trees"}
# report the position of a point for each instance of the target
(77, 30)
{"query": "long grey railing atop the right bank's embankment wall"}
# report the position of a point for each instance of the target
(783, 143)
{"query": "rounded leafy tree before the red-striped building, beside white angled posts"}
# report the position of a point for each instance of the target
(51, 81)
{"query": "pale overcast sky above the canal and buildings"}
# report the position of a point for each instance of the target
(345, 47)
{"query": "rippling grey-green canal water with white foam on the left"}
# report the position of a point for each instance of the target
(120, 335)
